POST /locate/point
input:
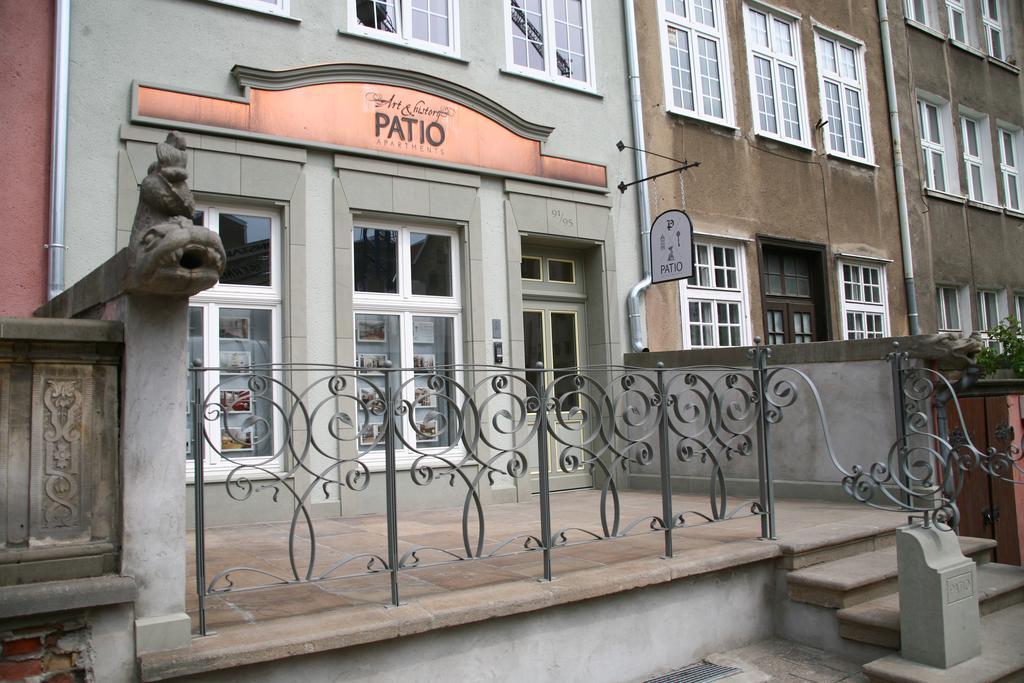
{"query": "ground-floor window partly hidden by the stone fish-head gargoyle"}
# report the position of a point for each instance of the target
(233, 327)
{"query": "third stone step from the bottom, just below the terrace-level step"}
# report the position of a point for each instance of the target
(848, 582)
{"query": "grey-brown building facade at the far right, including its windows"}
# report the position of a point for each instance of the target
(962, 112)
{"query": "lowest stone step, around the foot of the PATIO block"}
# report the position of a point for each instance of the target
(1002, 657)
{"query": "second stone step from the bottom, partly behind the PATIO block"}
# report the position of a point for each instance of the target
(877, 622)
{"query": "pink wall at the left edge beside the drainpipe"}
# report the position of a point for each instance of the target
(26, 92)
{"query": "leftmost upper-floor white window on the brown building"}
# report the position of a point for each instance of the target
(696, 59)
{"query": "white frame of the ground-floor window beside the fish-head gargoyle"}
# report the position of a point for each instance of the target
(239, 296)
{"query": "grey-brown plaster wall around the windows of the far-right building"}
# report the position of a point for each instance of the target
(959, 243)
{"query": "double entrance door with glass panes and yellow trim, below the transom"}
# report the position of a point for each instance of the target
(551, 335)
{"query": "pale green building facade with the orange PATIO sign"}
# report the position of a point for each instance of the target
(419, 184)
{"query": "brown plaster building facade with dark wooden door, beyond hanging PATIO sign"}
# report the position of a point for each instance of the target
(794, 204)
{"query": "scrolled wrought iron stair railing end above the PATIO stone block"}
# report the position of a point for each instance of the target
(924, 472)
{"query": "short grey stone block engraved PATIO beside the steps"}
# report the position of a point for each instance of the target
(940, 622)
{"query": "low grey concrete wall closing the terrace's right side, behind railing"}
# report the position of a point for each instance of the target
(855, 382)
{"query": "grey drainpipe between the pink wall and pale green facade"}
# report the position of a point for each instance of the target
(59, 148)
